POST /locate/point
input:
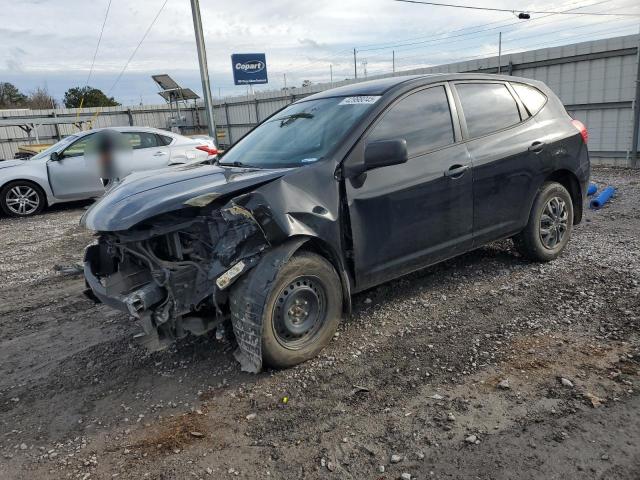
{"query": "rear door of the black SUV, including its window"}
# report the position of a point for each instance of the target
(503, 143)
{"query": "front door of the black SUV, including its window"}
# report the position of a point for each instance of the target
(406, 216)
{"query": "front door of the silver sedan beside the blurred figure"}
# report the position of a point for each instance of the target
(69, 177)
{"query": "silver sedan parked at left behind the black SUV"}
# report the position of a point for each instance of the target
(60, 174)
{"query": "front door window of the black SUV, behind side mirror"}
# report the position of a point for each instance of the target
(423, 119)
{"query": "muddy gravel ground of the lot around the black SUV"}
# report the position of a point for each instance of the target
(484, 367)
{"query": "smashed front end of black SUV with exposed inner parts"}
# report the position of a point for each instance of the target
(172, 272)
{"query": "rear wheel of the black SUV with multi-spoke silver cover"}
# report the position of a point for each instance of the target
(550, 224)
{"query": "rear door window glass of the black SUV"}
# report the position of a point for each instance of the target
(487, 107)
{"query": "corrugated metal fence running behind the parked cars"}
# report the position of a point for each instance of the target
(596, 80)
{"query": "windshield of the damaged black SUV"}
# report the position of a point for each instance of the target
(300, 134)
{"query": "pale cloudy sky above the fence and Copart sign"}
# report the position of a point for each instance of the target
(51, 43)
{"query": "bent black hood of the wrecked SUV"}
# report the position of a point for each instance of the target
(143, 195)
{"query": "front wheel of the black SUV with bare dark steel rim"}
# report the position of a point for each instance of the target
(299, 303)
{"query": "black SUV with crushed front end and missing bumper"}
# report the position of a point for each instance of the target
(336, 193)
